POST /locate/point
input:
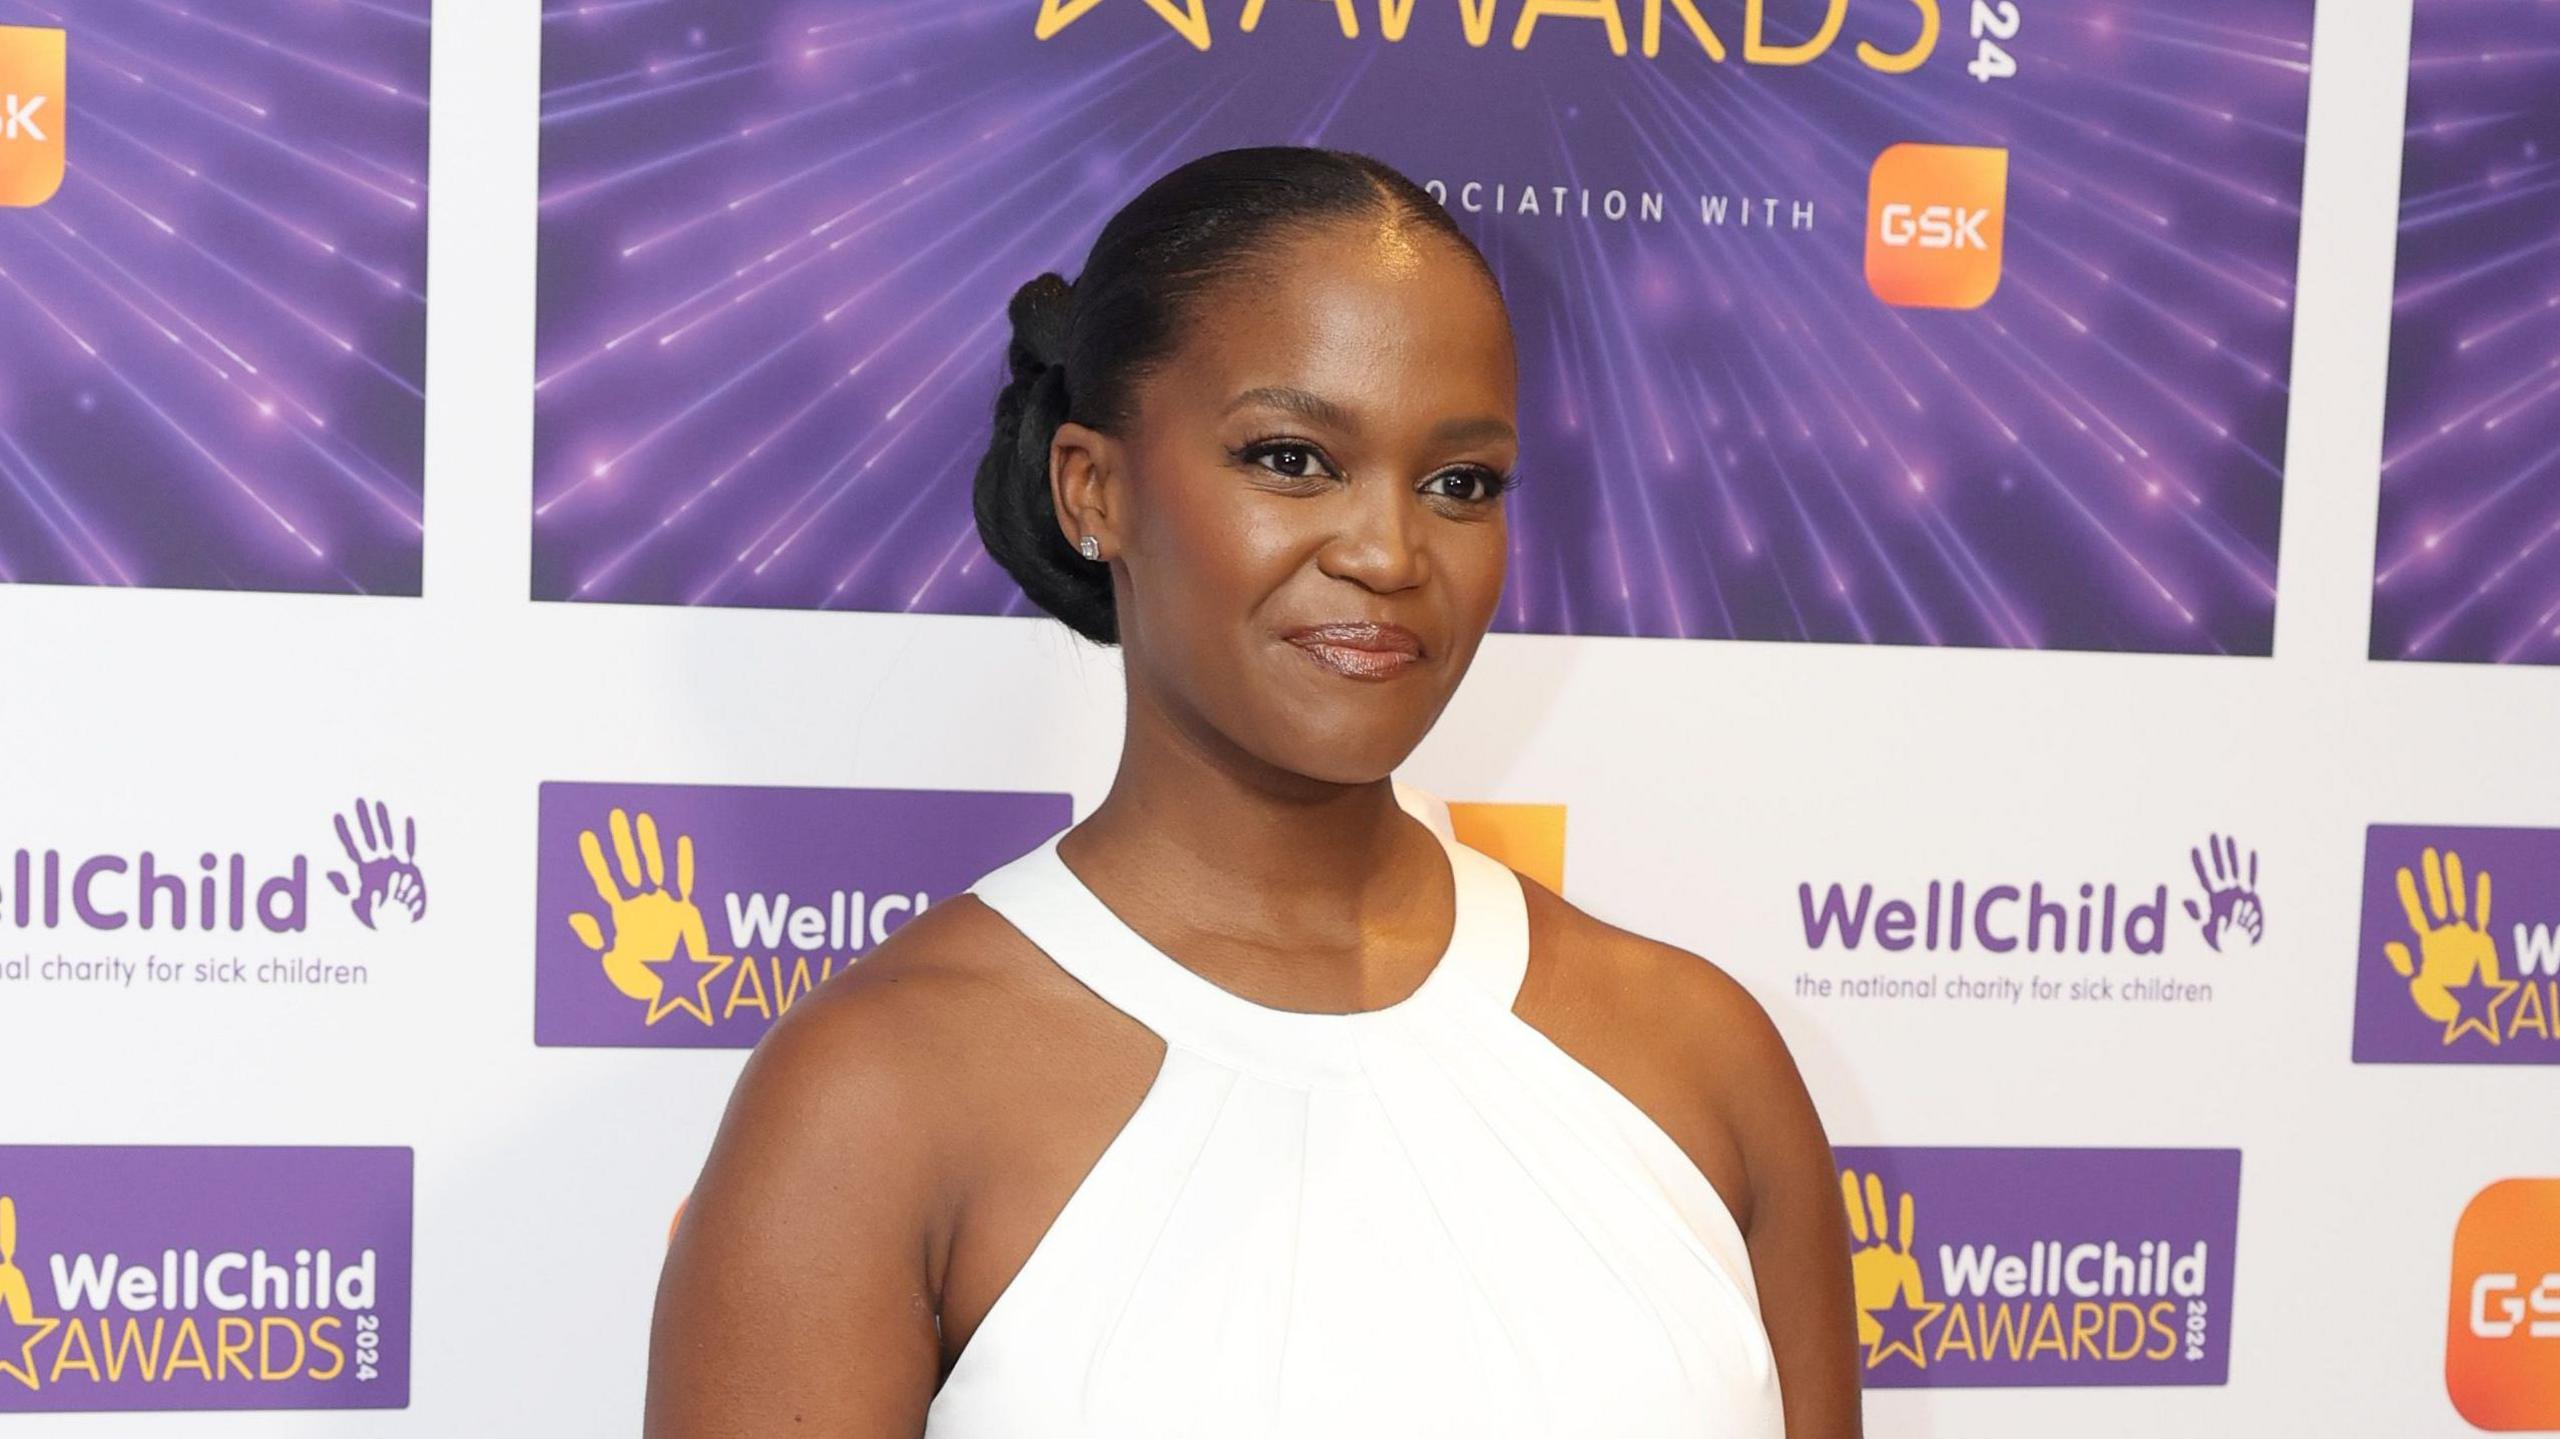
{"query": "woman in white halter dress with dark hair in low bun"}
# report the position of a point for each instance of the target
(1256, 1102)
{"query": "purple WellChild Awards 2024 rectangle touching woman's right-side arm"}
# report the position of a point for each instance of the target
(2024, 1269)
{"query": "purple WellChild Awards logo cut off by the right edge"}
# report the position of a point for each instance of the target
(2433, 982)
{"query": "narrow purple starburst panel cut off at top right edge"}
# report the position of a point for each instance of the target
(2467, 559)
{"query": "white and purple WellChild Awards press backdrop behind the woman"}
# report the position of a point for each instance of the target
(439, 739)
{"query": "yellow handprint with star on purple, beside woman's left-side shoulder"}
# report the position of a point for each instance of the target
(659, 951)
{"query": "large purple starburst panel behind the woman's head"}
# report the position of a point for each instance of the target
(780, 237)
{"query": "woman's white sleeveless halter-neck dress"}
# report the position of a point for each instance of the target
(1402, 1223)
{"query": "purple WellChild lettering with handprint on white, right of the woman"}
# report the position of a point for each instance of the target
(2036, 920)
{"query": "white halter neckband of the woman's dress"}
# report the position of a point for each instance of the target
(1484, 959)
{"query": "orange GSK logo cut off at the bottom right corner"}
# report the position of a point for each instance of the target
(2502, 1325)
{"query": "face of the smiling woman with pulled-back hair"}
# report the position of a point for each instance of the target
(1327, 449)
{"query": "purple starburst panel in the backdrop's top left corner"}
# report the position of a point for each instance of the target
(219, 326)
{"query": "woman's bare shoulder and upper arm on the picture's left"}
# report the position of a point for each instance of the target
(823, 1218)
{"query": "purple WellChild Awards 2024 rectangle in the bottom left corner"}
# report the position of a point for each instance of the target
(204, 1279)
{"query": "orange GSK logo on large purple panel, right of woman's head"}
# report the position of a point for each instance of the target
(1934, 221)
